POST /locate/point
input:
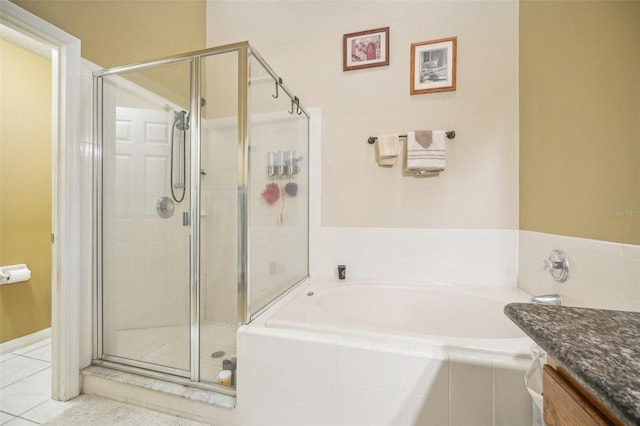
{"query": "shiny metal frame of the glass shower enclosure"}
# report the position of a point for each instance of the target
(195, 58)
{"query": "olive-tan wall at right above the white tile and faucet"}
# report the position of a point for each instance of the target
(580, 119)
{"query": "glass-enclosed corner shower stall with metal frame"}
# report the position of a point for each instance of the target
(201, 200)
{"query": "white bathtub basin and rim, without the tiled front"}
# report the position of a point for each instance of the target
(460, 317)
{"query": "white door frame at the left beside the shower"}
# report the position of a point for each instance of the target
(66, 317)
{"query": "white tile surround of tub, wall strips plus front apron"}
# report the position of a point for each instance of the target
(292, 377)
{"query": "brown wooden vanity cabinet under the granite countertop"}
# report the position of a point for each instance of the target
(567, 403)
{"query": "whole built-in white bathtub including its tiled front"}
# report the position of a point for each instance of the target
(384, 353)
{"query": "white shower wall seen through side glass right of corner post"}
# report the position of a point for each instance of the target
(278, 236)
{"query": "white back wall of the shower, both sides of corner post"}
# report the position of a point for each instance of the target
(275, 249)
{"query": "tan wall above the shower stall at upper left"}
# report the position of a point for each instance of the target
(122, 32)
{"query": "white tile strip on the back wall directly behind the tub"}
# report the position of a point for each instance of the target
(458, 256)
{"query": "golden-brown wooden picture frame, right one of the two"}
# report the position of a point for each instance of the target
(433, 66)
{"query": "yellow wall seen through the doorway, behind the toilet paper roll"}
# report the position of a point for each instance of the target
(25, 189)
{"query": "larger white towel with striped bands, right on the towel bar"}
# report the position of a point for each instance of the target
(431, 159)
